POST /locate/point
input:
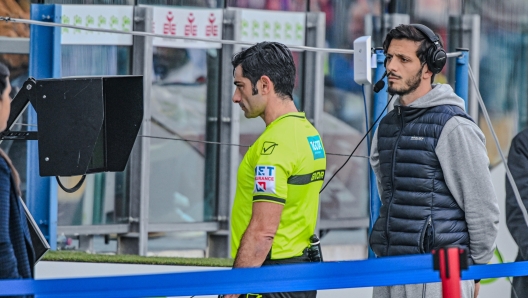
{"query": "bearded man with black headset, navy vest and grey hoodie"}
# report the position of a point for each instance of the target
(431, 166)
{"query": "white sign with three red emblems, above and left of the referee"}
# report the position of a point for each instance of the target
(199, 23)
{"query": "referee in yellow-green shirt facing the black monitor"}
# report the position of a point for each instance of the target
(278, 182)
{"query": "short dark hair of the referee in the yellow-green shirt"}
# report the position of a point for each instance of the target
(272, 59)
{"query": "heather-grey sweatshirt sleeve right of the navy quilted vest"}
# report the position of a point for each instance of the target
(461, 150)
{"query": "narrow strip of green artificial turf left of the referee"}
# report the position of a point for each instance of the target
(69, 256)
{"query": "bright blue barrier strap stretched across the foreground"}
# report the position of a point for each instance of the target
(318, 276)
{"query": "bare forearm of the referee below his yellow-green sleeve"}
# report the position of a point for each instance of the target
(258, 237)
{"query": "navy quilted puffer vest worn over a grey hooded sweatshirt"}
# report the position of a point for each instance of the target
(418, 212)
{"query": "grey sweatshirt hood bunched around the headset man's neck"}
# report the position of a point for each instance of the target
(442, 94)
